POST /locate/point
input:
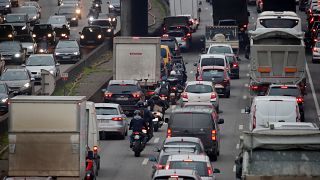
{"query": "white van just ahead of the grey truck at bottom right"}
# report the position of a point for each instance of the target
(266, 109)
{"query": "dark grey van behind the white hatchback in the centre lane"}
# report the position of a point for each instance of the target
(196, 122)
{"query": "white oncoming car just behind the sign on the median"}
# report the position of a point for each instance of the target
(36, 62)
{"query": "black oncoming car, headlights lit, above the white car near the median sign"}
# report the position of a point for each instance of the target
(41, 31)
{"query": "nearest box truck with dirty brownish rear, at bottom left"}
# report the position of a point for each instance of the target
(49, 137)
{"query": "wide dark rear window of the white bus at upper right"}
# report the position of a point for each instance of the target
(279, 23)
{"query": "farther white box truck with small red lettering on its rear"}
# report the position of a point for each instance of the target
(137, 58)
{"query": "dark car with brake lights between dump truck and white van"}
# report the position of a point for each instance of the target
(288, 90)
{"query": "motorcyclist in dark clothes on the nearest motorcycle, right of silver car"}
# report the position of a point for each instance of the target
(136, 125)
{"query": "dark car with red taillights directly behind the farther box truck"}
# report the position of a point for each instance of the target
(127, 93)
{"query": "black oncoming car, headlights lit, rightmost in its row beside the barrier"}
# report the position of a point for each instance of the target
(91, 35)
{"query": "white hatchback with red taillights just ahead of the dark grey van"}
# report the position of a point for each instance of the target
(200, 91)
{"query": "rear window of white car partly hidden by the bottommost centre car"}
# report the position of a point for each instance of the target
(200, 167)
